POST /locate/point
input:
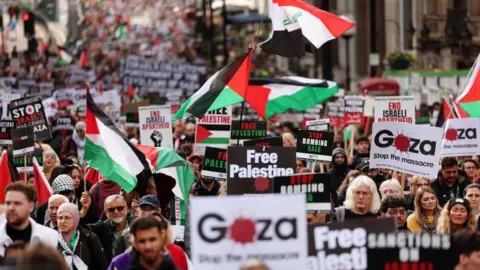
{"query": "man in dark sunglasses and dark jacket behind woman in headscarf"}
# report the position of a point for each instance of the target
(110, 230)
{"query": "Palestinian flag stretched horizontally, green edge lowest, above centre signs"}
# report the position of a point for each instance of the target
(286, 93)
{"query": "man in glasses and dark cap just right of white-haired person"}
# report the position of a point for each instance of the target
(395, 207)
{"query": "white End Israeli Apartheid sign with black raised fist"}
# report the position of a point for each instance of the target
(155, 126)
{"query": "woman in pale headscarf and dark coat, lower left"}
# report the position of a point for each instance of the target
(82, 249)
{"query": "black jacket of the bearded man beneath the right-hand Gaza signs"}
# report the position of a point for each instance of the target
(444, 192)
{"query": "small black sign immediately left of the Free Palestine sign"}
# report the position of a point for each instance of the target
(215, 163)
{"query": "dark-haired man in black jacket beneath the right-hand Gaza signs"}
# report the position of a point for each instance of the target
(450, 182)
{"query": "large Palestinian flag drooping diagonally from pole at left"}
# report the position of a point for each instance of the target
(109, 152)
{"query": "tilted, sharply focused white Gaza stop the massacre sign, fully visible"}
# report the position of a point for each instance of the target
(406, 148)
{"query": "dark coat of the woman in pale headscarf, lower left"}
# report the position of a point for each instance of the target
(90, 250)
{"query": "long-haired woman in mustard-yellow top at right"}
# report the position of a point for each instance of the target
(427, 211)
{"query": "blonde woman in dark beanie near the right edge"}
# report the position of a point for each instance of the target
(456, 215)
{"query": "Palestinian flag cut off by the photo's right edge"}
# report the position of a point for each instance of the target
(469, 99)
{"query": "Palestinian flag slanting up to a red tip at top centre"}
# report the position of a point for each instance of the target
(226, 87)
